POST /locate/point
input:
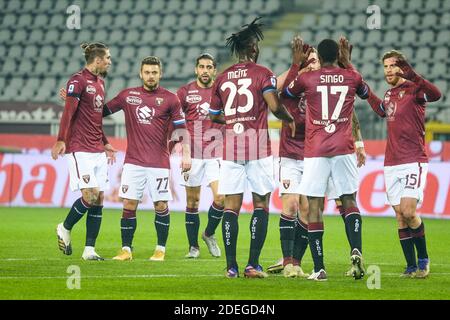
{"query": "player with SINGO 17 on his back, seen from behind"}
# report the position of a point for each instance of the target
(329, 146)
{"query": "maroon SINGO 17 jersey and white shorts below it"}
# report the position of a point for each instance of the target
(330, 94)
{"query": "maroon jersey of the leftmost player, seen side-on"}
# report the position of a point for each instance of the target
(85, 129)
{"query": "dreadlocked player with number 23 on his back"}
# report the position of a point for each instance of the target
(241, 97)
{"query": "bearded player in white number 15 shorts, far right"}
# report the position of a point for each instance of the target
(406, 161)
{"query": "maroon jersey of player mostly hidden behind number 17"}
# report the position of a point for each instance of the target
(290, 147)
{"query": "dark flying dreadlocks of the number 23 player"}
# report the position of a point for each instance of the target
(239, 42)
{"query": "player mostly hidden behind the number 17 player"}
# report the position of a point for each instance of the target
(294, 217)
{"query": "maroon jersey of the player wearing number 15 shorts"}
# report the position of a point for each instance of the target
(405, 115)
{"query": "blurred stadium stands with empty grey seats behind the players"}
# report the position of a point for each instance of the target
(38, 53)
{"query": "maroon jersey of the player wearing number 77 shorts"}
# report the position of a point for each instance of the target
(147, 118)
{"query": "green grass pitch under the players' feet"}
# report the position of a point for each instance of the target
(32, 267)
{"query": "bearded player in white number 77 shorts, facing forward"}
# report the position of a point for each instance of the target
(149, 110)
